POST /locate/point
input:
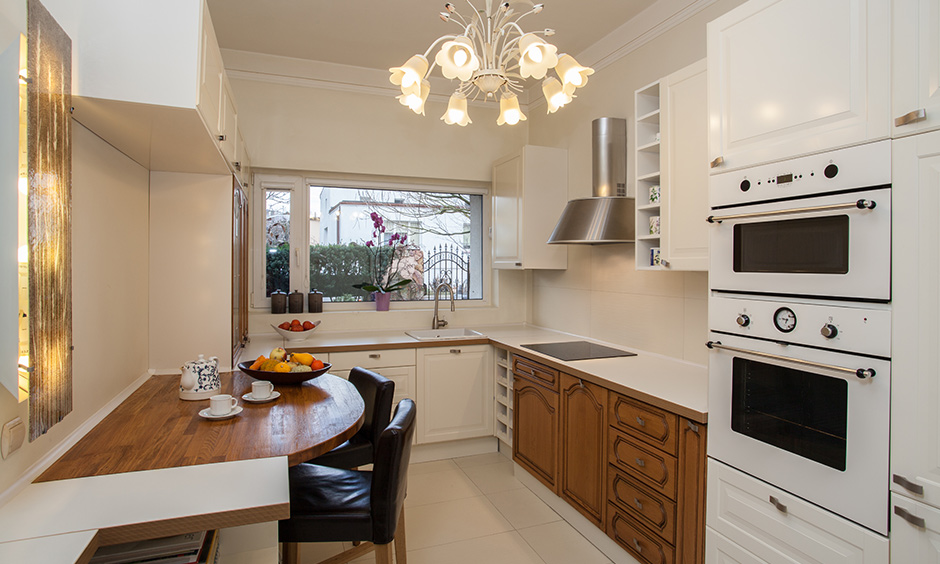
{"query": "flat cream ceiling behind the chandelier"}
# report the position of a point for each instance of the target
(383, 33)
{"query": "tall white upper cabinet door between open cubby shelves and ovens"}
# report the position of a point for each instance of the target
(684, 162)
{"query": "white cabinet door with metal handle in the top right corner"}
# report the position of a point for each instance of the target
(915, 68)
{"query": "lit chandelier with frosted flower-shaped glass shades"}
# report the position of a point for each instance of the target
(492, 55)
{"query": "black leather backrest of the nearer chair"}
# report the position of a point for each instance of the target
(390, 472)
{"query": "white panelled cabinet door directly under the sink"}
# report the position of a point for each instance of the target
(455, 393)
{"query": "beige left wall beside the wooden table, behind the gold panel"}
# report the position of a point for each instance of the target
(109, 290)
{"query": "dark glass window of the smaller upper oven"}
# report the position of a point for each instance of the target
(815, 245)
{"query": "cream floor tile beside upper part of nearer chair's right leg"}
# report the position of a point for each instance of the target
(452, 521)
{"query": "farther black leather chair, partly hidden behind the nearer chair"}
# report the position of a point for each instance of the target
(377, 392)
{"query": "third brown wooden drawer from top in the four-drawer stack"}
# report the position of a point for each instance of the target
(652, 510)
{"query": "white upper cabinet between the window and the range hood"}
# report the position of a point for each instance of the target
(530, 189)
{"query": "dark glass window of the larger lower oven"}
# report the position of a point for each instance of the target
(800, 412)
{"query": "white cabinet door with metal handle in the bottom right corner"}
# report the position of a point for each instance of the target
(915, 531)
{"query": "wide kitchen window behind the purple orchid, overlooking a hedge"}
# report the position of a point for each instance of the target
(430, 237)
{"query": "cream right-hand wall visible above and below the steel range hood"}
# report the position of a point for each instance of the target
(601, 295)
